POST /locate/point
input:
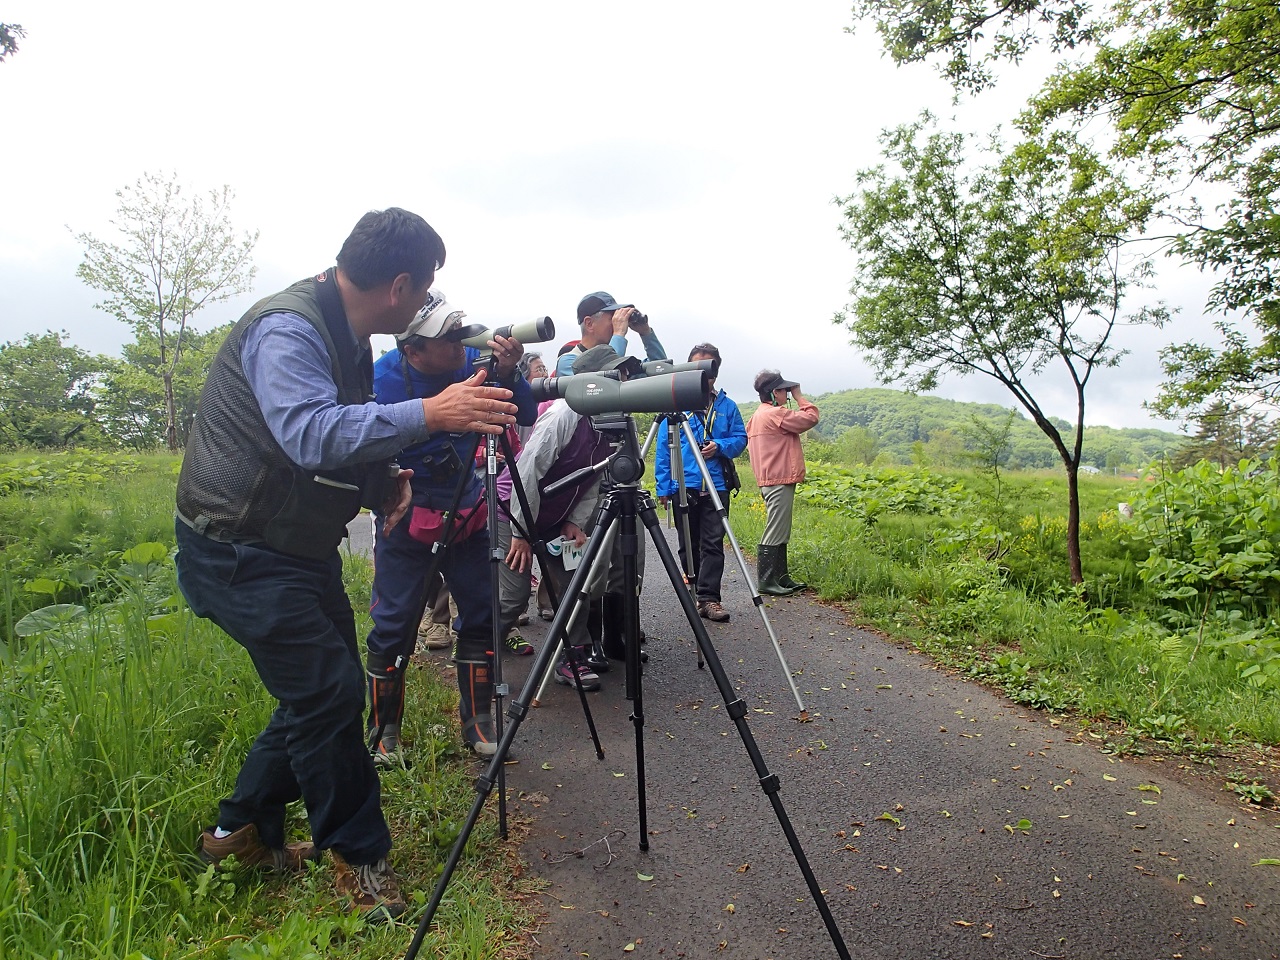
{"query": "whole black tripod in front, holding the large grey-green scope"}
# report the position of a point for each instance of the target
(621, 506)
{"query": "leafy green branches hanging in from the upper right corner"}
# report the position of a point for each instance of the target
(1191, 90)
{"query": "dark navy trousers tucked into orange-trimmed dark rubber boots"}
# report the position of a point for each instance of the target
(400, 592)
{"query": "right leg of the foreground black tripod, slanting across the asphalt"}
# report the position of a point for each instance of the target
(770, 783)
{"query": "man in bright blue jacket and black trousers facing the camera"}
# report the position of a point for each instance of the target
(721, 437)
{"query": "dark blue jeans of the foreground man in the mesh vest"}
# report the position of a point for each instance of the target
(295, 620)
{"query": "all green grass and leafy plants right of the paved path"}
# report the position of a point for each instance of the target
(1171, 644)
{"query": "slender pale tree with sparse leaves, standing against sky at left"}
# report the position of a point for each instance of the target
(176, 255)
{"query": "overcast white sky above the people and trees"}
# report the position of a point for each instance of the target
(682, 156)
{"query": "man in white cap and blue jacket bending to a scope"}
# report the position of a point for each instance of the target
(428, 359)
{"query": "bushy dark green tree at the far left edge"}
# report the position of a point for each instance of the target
(48, 392)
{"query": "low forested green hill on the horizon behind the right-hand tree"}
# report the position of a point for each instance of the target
(906, 428)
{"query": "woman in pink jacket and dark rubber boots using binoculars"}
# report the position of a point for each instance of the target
(778, 461)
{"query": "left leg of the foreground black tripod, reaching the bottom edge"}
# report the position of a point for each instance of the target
(516, 714)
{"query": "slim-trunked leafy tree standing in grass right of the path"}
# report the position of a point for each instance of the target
(999, 269)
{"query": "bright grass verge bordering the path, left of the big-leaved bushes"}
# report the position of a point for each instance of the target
(998, 604)
